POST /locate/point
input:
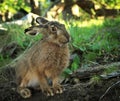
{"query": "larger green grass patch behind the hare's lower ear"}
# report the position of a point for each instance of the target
(16, 34)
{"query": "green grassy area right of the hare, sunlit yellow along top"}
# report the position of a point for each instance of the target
(98, 40)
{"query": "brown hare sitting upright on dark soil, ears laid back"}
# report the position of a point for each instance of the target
(40, 66)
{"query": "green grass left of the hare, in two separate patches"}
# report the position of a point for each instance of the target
(16, 34)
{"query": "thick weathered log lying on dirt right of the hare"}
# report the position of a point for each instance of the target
(98, 70)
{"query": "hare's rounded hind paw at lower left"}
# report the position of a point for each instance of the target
(24, 92)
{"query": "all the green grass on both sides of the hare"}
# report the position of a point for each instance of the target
(98, 40)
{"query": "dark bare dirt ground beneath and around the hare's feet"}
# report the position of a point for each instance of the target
(83, 91)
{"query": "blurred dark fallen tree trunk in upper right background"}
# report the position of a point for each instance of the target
(86, 5)
